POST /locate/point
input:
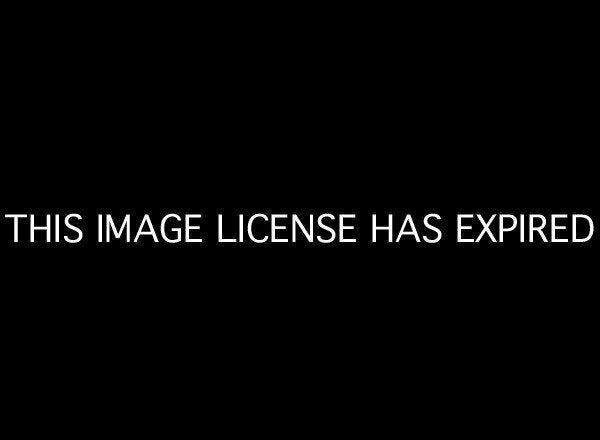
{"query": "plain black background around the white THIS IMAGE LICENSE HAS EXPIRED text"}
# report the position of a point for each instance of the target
(381, 113)
